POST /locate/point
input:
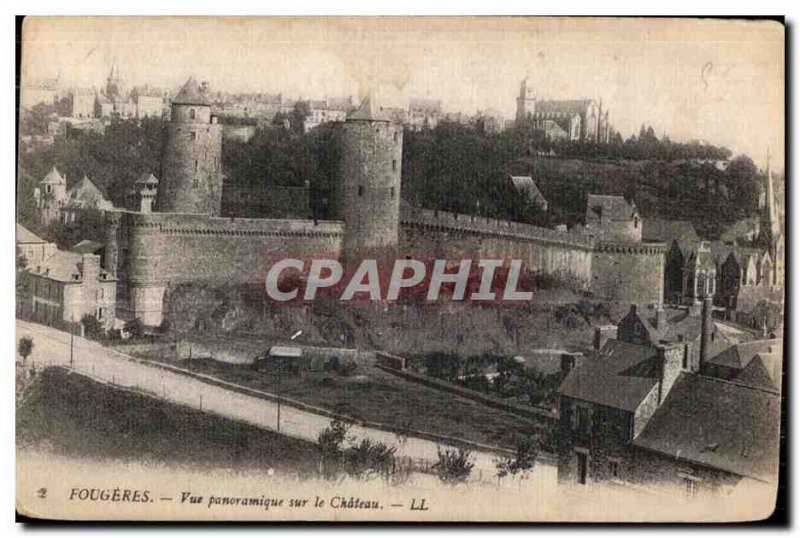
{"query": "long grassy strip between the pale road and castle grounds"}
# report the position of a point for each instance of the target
(374, 395)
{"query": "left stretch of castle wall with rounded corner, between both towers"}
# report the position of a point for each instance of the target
(163, 250)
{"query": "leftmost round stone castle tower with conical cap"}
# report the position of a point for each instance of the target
(191, 166)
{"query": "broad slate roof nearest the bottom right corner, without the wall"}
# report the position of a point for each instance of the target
(719, 424)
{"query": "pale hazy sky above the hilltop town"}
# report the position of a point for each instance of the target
(721, 81)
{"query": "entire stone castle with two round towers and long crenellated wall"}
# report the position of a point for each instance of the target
(186, 241)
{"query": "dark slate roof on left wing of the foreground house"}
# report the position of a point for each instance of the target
(621, 376)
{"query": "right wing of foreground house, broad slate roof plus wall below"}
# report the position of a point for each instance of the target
(708, 435)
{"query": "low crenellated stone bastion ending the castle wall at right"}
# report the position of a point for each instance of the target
(629, 273)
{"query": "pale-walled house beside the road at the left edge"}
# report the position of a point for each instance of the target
(63, 288)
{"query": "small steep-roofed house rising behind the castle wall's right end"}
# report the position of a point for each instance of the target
(612, 219)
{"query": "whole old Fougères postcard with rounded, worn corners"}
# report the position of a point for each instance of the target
(400, 269)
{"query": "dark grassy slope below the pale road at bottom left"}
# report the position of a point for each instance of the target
(75, 417)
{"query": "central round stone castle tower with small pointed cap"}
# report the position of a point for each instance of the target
(369, 175)
